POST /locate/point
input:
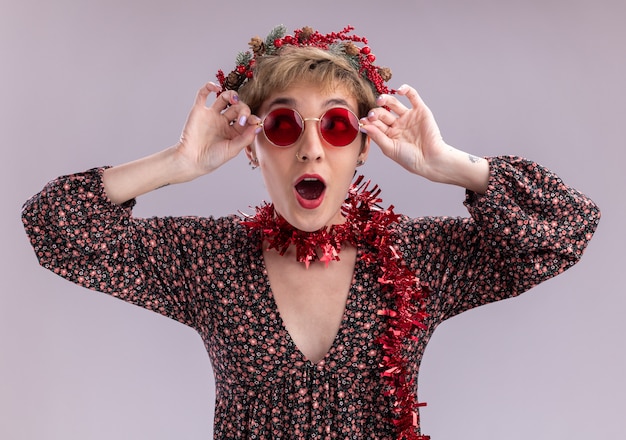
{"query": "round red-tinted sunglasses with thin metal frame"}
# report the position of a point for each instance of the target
(338, 126)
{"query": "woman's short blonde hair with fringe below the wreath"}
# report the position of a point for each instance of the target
(275, 73)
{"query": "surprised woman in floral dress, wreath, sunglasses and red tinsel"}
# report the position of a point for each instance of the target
(316, 310)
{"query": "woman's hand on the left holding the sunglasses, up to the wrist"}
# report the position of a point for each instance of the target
(215, 134)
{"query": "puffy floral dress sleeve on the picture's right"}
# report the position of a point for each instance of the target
(528, 227)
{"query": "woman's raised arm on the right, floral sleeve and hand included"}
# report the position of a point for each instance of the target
(526, 224)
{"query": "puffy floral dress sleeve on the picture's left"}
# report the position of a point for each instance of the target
(79, 234)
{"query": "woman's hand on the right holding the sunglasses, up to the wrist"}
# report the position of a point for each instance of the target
(409, 136)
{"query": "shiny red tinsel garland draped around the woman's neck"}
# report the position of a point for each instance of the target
(366, 223)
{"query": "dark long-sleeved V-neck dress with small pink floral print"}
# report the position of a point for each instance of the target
(207, 273)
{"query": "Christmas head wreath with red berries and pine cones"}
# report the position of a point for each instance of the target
(339, 43)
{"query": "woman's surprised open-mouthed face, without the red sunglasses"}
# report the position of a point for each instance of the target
(308, 181)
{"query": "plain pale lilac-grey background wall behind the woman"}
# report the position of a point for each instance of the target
(86, 83)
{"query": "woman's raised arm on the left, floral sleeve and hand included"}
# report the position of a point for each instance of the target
(81, 226)
